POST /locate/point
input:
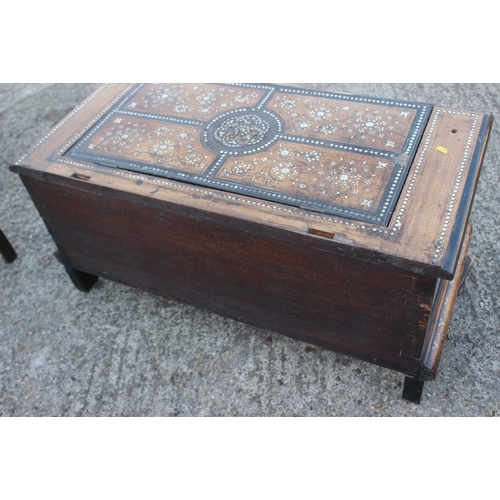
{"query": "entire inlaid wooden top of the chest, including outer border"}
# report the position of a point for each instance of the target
(383, 180)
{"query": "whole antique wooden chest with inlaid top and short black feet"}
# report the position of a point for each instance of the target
(335, 219)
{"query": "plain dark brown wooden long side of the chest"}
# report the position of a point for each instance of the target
(370, 311)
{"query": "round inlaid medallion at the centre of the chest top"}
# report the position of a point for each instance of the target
(242, 131)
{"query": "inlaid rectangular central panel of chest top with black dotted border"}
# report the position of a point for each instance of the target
(337, 154)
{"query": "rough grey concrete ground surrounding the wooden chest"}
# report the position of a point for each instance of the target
(118, 351)
